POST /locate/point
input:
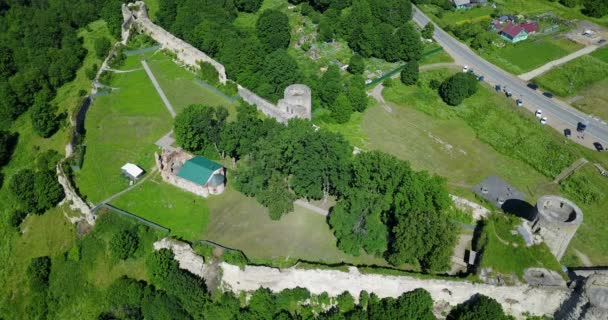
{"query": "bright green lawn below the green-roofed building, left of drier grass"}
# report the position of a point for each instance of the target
(186, 214)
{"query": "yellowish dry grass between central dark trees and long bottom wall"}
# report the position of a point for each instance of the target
(237, 221)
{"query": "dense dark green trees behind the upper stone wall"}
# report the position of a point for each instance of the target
(257, 58)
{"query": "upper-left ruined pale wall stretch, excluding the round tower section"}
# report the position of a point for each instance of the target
(185, 52)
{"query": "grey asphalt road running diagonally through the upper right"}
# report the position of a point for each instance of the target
(533, 99)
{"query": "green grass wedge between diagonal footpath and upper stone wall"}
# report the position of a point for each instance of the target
(182, 89)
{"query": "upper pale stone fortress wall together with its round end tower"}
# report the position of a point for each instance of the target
(296, 103)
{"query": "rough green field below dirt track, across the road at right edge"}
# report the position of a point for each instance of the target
(573, 77)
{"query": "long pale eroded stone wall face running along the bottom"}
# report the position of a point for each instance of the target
(516, 300)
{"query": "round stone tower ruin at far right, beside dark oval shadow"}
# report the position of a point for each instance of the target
(557, 221)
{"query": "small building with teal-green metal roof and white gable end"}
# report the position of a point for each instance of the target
(200, 170)
